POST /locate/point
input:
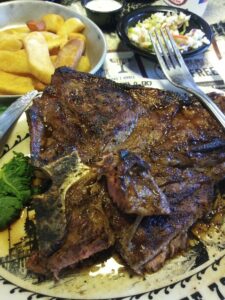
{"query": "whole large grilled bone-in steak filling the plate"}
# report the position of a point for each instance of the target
(153, 162)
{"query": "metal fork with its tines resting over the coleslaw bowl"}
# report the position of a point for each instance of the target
(176, 71)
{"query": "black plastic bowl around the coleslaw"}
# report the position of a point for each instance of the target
(140, 14)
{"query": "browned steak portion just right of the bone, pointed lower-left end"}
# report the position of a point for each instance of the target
(87, 231)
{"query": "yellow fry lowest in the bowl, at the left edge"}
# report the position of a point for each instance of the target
(14, 85)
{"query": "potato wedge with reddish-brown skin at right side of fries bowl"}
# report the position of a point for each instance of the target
(70, 54)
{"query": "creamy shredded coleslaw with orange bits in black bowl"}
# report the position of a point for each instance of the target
(177, 24)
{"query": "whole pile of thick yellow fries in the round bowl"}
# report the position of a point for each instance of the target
(29, 54)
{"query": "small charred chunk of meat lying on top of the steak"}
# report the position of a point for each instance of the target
(131, 185)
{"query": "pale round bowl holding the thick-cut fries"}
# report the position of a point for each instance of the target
(19, 12)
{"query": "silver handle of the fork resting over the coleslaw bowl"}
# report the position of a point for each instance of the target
(208, 102)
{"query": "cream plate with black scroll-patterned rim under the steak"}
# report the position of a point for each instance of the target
(193, 275)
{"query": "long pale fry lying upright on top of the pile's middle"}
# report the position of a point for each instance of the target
(38, 57)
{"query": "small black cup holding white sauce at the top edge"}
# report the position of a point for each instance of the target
(105, 20)
